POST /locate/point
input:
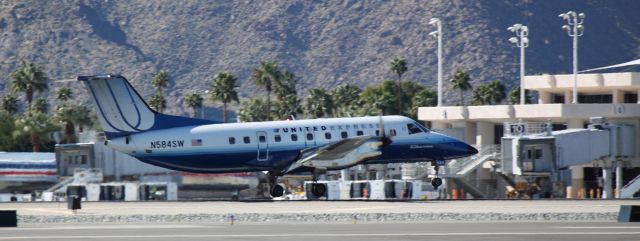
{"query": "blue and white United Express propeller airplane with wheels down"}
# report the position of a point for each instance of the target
(274, 147)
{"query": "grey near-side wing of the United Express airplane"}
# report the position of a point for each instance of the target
(339, 155)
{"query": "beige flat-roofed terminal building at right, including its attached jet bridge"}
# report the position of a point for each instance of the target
(553, 148)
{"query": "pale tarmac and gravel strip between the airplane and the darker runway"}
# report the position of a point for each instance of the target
(323, 211)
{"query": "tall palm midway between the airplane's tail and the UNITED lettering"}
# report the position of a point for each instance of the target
(223, 89)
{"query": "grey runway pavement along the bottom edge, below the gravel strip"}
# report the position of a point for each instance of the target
(327, 231)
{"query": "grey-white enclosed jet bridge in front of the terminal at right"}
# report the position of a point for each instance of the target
(535, 150)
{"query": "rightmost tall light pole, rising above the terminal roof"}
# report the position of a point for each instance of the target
(575, 29)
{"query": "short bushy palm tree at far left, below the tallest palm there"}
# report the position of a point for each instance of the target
(36, 125)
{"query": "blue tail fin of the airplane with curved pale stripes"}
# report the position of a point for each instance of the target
(123, 112)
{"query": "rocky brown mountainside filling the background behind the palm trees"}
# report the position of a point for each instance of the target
(325, 43)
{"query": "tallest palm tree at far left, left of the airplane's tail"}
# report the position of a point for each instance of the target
(28, 79)
